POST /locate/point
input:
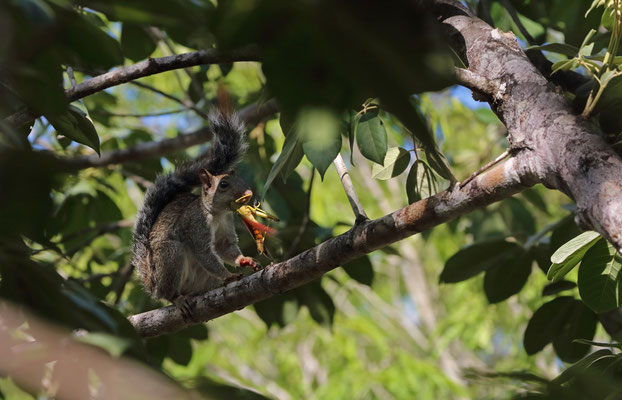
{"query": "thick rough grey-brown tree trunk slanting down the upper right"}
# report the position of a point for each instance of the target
(563, 150)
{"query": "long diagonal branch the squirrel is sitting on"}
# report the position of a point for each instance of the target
(499, 183)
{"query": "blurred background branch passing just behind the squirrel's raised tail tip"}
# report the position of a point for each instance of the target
(250, 115)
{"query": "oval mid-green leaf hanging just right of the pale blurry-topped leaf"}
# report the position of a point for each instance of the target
(371, 136)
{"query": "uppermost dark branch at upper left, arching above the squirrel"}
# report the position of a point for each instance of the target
(148, 67)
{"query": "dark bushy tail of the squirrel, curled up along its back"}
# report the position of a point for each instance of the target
(228, 147)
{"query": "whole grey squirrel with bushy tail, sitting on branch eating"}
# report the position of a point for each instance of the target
(181, 239)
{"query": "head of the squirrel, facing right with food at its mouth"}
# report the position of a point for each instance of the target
(219, 191)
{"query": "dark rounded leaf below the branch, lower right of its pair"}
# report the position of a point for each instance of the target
(507, 279)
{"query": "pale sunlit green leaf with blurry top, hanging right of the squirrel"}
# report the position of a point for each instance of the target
(321, 137)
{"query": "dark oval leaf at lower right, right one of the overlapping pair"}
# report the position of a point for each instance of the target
(579, 324)
